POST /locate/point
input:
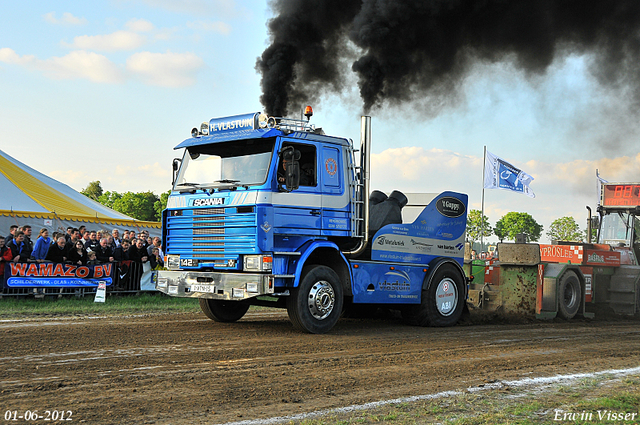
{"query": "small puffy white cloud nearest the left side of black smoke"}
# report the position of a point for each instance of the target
(165, 69)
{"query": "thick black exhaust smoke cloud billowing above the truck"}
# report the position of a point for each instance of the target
(411, 49)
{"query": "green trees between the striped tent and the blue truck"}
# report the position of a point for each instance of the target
(145, 206)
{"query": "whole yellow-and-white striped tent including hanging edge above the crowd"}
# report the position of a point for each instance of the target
(30, 197)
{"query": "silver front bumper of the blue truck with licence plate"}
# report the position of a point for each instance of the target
(214, 285)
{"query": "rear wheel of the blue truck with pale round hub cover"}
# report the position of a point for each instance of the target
(442, 302)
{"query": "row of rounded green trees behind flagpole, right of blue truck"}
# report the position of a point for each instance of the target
(514, 223)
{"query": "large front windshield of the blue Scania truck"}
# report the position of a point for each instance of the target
(237, 163)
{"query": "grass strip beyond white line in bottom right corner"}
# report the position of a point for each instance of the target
(595, 401)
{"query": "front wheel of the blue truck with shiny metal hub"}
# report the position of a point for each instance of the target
(316, 304)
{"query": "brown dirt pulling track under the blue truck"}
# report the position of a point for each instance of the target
(186, 369)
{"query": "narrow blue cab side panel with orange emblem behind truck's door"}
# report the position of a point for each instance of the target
(335, 196)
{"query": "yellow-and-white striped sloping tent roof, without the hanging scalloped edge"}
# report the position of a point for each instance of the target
(29, 193)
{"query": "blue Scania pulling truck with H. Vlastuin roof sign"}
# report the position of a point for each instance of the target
(273, 212)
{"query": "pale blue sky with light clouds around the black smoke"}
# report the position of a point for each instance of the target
(105, 90)
